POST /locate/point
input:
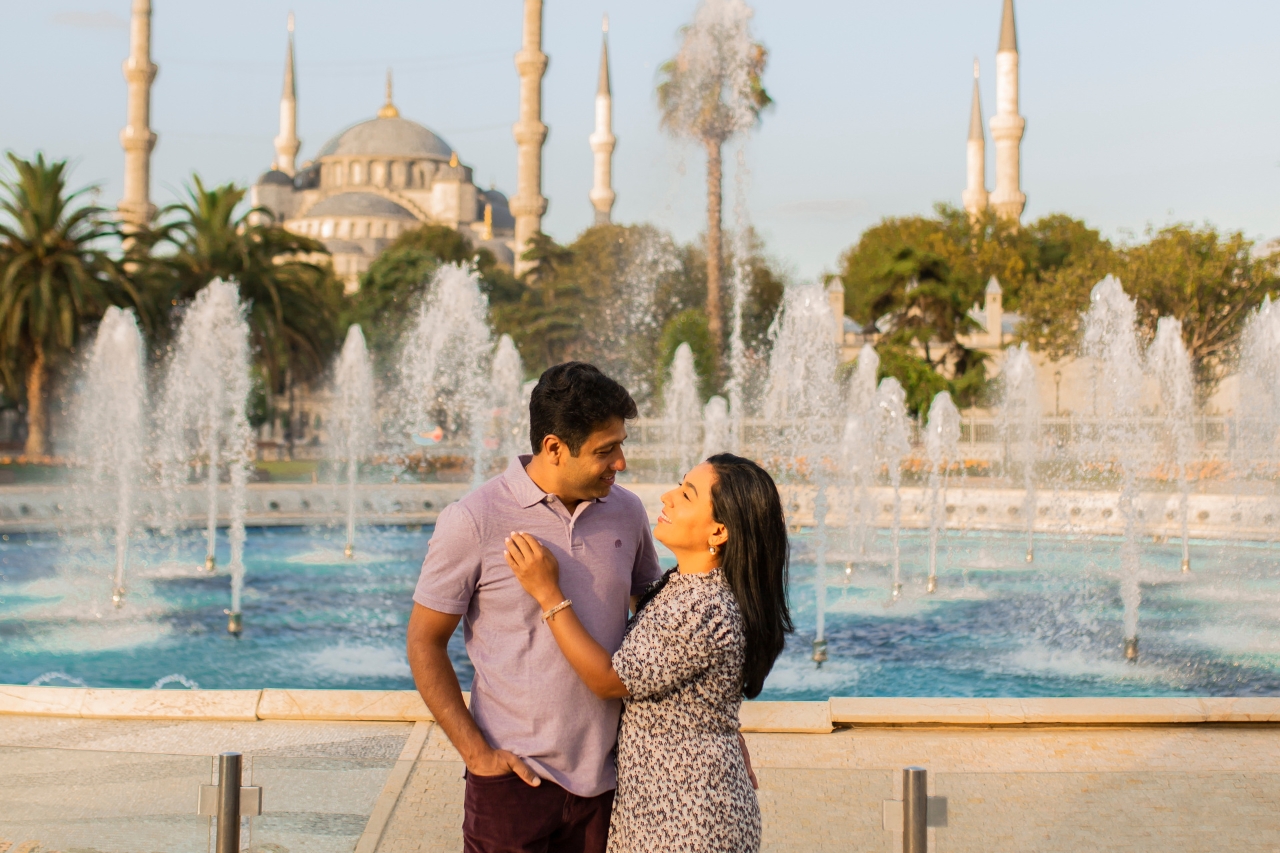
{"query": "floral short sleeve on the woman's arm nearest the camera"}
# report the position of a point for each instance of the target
(670, 646)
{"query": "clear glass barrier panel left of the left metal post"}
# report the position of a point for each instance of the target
(103, 802)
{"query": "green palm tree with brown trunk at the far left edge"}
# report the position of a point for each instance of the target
(56, 279)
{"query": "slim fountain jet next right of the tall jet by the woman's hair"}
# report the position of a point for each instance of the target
(858, 449)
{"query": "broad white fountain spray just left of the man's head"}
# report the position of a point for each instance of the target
(445, 366)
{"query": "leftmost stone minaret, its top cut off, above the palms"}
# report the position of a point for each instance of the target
(136, 139)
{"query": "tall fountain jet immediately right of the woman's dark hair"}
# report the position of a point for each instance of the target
(801, 398)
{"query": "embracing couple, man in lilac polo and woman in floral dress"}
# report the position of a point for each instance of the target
(545, 564)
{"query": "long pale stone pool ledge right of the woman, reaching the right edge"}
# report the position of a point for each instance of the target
(1046, 713)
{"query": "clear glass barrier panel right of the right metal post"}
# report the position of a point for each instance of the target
(1140, 813)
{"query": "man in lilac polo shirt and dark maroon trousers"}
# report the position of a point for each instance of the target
(538, 745)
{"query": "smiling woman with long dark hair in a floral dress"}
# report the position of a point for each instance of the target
(703, 637)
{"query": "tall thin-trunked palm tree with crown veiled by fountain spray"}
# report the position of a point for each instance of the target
(710, 93)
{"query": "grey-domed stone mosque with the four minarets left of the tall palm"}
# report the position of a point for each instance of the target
(387, 175)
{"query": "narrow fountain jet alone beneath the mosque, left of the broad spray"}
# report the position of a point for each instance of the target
(351, 421)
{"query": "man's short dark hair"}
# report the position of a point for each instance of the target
(574, 400)
